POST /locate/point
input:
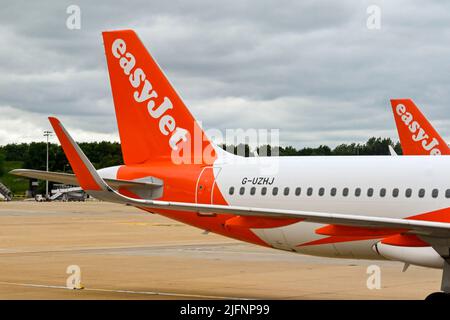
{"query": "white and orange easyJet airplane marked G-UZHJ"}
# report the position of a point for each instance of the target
(395, 208)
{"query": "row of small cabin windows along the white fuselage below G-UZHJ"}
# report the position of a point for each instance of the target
(345, 192)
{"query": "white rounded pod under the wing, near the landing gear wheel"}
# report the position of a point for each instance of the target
(420, 256)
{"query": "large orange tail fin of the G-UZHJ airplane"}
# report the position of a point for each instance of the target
(153, 121)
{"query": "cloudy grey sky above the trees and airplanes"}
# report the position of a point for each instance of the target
(310, 68)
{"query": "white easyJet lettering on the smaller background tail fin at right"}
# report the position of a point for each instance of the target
(418, 134)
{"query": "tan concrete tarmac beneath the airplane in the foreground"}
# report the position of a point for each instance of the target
(125, 253)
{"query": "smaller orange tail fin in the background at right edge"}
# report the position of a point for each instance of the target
(417, 135)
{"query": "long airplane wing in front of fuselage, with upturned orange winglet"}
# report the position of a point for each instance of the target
(93, 184)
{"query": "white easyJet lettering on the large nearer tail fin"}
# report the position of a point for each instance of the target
(146, 94)
